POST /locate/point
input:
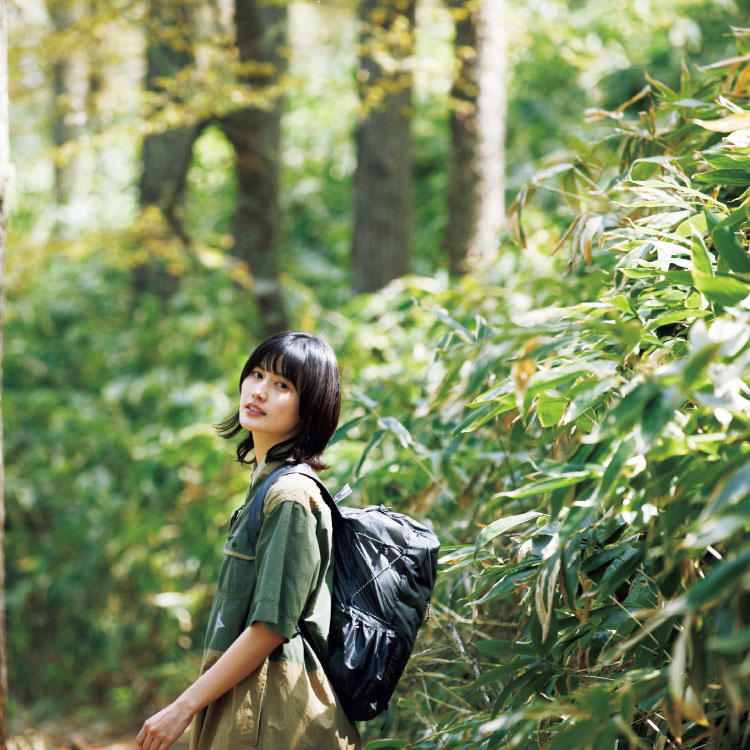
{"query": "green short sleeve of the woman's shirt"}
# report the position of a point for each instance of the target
(287, 562)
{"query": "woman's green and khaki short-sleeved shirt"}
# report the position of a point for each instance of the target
(287, 703)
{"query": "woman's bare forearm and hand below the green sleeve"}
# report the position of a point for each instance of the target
(245, 655)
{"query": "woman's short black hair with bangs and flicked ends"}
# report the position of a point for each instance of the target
(309, 363)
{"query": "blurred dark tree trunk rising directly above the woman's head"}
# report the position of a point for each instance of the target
(255, 135)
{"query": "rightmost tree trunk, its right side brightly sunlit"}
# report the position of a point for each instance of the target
(477, 181)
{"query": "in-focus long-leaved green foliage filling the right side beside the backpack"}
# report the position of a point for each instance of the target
(600, 441)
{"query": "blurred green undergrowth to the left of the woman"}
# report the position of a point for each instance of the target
(110, 463)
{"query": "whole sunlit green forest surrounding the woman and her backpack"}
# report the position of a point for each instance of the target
(524, 230)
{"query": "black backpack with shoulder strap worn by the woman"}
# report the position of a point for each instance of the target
(385, 566)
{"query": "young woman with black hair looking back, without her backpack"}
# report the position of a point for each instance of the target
(261, 685)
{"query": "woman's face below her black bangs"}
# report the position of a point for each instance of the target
(269, 406)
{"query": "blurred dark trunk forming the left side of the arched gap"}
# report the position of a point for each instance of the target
(166, 155)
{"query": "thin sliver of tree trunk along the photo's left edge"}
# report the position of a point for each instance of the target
(4, 171)
